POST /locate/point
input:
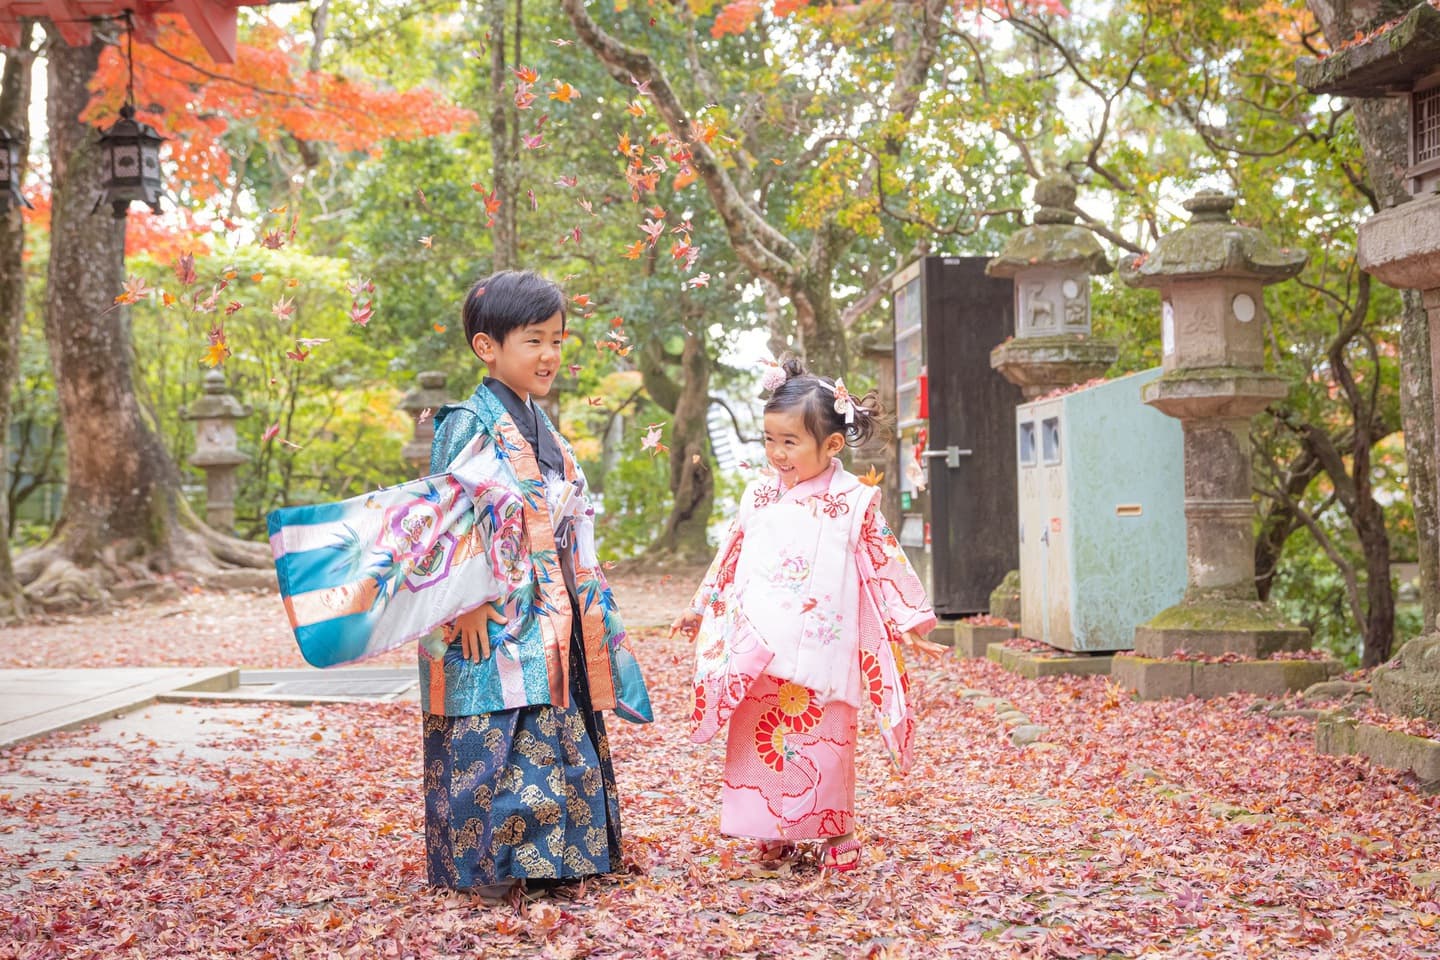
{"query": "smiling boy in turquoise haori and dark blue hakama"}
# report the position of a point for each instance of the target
(499, 546)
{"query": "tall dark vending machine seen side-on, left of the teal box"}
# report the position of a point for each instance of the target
(955, 421)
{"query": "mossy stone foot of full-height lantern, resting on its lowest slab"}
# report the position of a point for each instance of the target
(1212, 628)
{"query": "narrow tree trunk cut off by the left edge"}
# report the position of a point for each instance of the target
(15, 113)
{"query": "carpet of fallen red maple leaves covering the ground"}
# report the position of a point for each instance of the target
(1180, 830)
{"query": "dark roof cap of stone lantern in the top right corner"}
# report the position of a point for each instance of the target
(1389, 61)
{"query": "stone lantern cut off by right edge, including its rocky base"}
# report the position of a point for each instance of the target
(1399, 247)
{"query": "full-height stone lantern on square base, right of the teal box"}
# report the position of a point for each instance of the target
(1212, 277)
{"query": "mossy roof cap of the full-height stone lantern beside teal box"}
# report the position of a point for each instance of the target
(1212, 245)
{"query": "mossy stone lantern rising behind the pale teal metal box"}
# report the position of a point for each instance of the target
(1052, 263)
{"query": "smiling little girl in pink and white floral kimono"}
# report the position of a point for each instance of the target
(798, 625)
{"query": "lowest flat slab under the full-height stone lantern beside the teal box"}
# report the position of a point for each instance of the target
(1161, 680)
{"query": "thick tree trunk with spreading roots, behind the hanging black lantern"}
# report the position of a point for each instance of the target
(123, 516)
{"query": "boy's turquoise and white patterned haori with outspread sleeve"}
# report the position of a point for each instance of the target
(379, 571)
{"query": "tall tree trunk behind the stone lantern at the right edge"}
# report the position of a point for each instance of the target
(1383, 124)
